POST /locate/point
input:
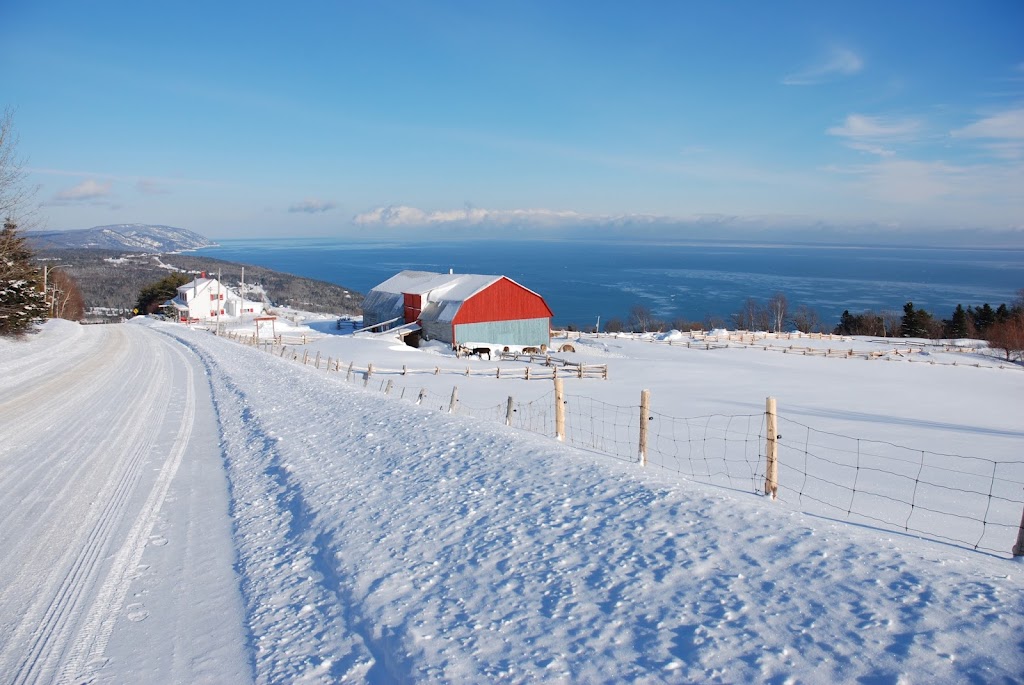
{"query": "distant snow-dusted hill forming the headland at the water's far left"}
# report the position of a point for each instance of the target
(122, 237)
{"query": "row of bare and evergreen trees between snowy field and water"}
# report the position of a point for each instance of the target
(1003, 327)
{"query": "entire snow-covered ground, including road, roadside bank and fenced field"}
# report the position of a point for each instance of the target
(180, 507)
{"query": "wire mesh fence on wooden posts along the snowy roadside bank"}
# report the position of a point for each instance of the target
(971, 502)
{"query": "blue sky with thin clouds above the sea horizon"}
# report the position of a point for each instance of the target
(319, 119)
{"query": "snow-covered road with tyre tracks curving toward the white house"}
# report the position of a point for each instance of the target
(108, 444)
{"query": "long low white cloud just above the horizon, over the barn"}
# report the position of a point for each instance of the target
(412, 217)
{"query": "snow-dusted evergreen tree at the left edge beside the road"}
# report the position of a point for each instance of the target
(23, 304)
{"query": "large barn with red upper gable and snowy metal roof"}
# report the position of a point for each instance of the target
(462, 310)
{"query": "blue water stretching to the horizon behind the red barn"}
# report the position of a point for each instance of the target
(584, 281)
